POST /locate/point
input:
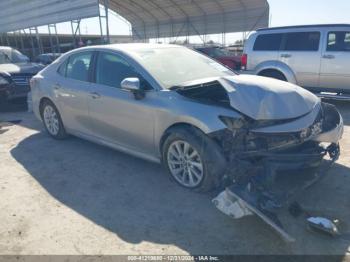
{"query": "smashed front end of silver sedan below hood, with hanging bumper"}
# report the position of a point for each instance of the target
(269, 166)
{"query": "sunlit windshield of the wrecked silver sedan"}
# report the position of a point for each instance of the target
(173, 66)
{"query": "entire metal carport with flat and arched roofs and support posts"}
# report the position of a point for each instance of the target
(148, 18)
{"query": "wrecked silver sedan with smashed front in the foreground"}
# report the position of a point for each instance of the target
(173, 105)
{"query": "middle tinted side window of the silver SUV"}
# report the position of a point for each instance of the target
(302, 41)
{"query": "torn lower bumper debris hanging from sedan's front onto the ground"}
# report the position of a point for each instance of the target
(269, 187)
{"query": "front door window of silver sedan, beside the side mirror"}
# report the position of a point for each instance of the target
(111, 70)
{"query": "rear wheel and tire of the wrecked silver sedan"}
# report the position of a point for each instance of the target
(52, 120)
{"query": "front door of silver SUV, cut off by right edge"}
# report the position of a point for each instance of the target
(335, 66)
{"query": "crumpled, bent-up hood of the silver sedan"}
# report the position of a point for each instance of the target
(263, 98)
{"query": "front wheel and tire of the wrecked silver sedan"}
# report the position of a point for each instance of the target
(210, 157)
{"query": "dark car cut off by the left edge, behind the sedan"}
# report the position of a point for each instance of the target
(15, 73)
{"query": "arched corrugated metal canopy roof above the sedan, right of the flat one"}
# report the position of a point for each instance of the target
(171, 18)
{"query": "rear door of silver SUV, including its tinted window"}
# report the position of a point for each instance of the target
(301, 52)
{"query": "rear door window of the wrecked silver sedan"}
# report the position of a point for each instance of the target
(78, 66)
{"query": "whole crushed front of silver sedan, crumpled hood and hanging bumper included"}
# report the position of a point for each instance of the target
(279, 146)
